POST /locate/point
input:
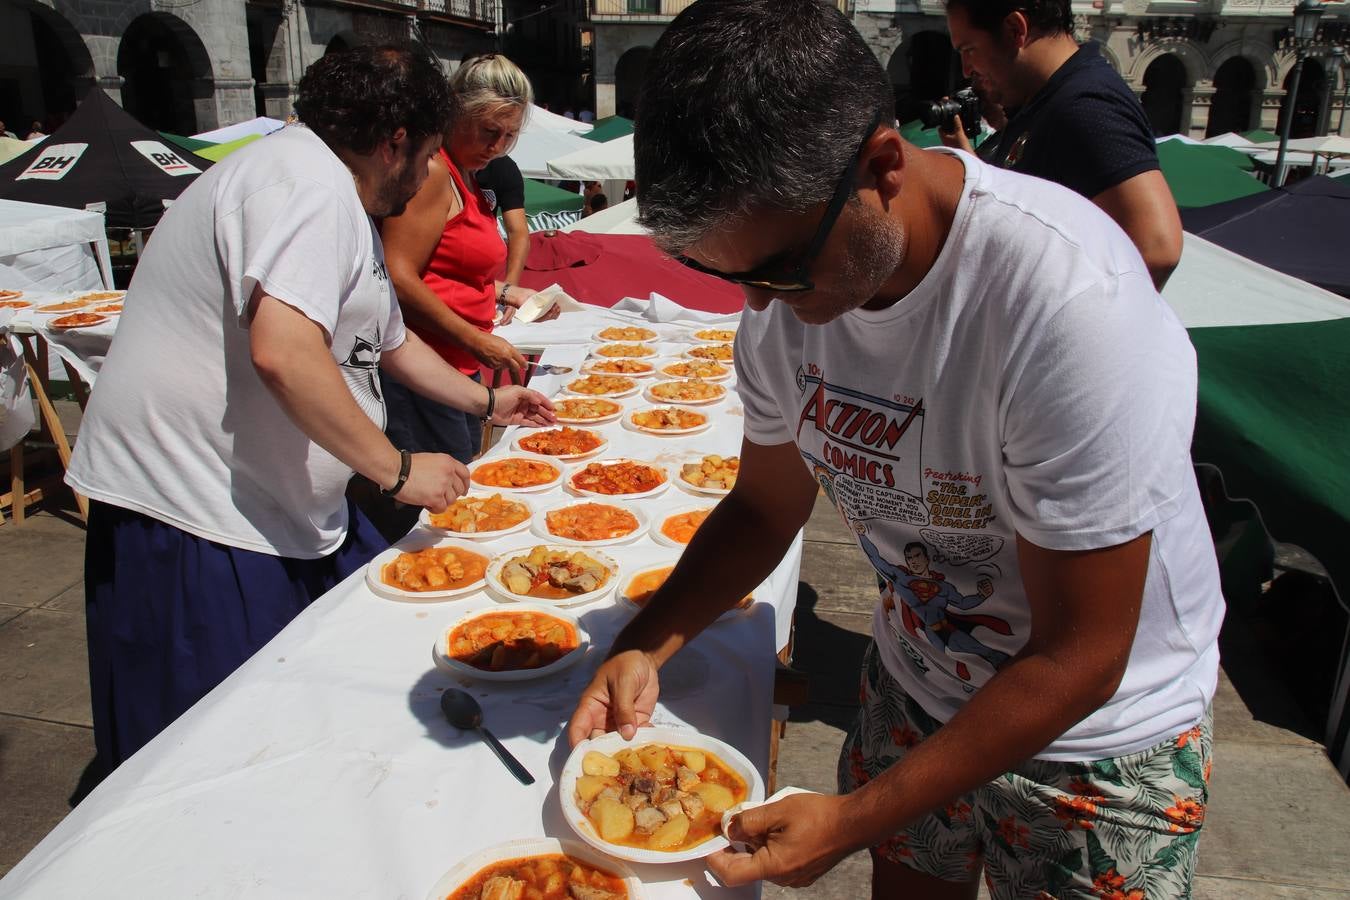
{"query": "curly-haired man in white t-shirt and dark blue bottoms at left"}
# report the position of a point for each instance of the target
(242, 393)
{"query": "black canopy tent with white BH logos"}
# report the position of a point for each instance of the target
(103, 156)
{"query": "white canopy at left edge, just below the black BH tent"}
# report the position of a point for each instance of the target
(53, 249)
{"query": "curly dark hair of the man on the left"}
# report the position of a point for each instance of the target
(361, 96)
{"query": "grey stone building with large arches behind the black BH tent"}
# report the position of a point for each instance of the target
(194, 65)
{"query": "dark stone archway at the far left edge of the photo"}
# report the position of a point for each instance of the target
(47, 68)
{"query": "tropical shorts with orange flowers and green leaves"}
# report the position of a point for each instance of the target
(1124, 829)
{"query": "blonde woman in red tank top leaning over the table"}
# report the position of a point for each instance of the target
(445, 256)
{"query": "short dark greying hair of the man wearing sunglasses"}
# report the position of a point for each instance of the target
(751, 105)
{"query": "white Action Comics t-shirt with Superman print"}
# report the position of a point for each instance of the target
(1033, 384)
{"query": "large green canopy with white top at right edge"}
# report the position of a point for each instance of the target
(1272, 414)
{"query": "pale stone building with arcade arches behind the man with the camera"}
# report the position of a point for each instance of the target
(1201, 67)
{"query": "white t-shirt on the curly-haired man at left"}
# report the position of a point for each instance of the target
(180, 426)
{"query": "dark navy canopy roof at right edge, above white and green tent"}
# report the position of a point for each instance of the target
(1298, 230)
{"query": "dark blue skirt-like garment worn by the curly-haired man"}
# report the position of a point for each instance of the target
(171, 615)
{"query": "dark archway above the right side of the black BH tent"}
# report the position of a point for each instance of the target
(165, 71)
